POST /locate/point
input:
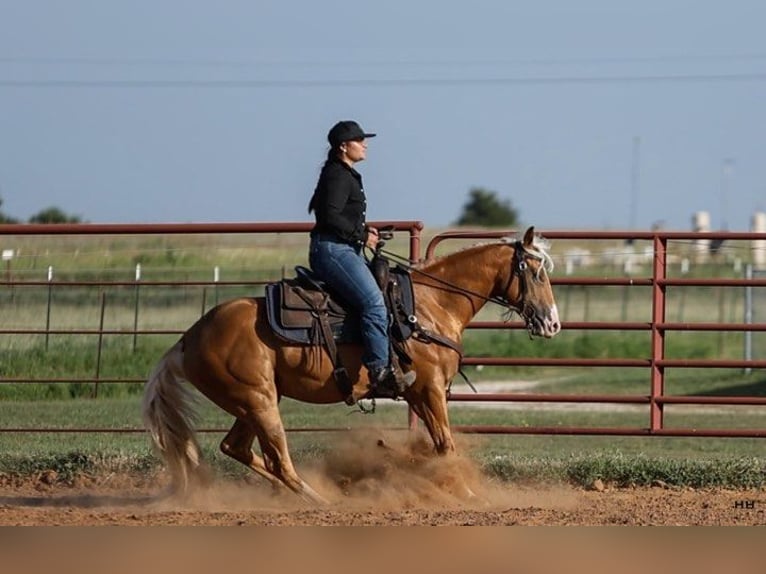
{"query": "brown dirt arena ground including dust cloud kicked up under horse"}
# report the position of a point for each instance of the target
(385, 485)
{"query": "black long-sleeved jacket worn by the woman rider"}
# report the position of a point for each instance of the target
(339, 203)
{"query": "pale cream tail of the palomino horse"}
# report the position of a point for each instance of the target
(168, 415)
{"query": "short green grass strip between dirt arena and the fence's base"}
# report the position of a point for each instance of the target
(682, 461)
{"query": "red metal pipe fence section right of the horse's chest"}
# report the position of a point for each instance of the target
(659, 328)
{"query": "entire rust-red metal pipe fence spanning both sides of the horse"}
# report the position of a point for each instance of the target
(657, 281)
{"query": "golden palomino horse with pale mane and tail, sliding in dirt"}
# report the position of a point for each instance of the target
(231, 355)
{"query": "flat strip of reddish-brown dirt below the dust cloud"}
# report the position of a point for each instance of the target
(229, 504)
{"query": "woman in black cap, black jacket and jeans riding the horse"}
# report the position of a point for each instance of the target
(336, 256)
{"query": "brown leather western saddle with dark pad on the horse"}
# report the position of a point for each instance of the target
(303, 311)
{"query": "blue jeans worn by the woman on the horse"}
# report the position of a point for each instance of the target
(344, 269)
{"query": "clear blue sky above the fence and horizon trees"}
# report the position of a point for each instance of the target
(584, 114)
